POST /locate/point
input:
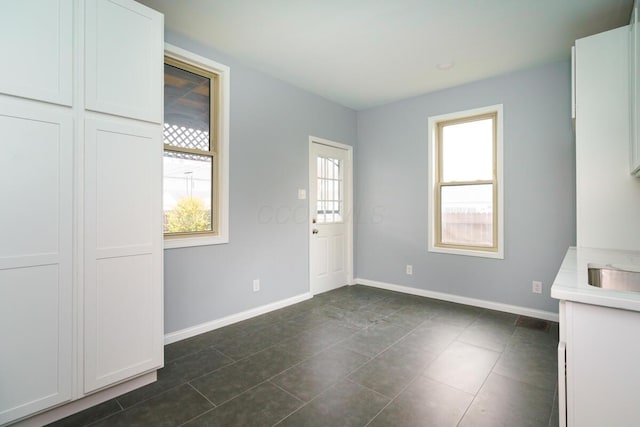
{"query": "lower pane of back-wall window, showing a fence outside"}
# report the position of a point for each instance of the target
(467, 215)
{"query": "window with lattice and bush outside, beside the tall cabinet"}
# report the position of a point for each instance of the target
(195, 184)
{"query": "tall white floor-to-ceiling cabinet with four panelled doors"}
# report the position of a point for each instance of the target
(80, 201)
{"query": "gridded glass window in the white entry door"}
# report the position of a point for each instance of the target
(330, 190)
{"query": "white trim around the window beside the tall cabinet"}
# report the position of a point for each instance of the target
(224, 73)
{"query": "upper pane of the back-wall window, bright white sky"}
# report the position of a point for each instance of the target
(467, 151)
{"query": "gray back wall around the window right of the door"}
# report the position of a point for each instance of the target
(539, 189)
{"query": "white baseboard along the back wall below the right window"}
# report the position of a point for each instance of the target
(515, 309)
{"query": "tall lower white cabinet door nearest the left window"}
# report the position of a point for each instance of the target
(123, 252)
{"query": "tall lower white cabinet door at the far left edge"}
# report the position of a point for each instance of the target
(35, 257)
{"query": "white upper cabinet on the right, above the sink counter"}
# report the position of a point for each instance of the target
(607, 196)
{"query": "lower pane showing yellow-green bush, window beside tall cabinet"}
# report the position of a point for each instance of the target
(187, 192)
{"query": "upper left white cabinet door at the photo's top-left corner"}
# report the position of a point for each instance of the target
(36, 42)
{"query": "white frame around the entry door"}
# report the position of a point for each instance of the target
(348, 206)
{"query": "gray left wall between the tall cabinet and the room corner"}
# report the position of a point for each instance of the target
(270, 125)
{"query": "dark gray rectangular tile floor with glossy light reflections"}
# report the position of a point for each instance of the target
(356, 356)
